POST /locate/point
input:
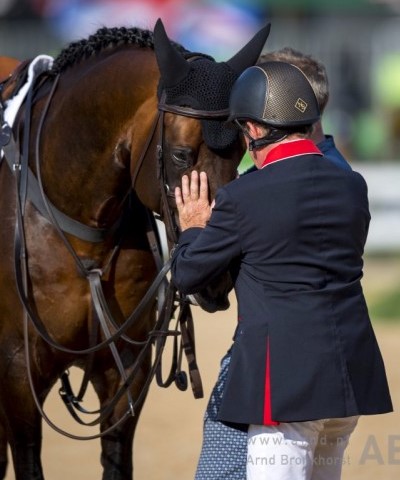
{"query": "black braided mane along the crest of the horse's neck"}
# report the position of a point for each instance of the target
(104, 38)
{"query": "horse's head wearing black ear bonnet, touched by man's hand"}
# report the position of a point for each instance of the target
(194, 94)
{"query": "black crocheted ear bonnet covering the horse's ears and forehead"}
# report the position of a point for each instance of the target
(199, 82)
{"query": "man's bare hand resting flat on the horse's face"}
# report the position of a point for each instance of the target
(194, 209)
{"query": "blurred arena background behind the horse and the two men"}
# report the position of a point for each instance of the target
(359, 43)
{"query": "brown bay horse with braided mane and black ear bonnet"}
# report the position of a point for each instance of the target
(102, 137)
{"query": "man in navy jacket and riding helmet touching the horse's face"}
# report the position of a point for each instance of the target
(305, 363)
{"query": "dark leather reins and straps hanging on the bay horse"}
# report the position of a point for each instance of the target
(169, 299)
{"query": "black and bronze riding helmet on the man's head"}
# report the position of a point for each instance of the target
(276, 94)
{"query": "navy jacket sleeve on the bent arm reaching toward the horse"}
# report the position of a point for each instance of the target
(204, 253)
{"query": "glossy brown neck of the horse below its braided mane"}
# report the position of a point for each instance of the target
(105, 126)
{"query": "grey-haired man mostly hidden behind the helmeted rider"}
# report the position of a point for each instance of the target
(223, 453)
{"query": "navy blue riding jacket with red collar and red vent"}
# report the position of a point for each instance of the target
(292, 236)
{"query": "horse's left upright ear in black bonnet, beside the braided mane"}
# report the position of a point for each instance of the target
(173, 67)
